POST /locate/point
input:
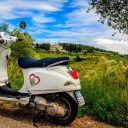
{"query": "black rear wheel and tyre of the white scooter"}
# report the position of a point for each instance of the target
(72, 110)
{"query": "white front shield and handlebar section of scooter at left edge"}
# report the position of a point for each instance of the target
(5, 52)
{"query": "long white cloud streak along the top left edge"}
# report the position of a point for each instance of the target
(31, 5)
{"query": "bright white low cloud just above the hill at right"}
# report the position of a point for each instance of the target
(112, 45)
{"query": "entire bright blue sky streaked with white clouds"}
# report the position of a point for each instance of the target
(61, 21)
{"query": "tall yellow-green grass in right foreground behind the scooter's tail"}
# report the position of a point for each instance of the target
(105, 89)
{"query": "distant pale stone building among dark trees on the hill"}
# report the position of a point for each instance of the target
(57, 47)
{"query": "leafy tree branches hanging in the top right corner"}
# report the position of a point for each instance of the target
(114, 12)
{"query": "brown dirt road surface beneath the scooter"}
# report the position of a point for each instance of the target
(19, 118)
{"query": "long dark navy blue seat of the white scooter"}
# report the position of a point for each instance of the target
(25, 62)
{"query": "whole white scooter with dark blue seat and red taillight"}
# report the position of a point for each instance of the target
(50, 85)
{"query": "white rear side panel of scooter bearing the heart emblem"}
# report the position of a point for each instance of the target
(48, 80)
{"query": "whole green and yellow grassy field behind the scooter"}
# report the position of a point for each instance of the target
(104, 81)
